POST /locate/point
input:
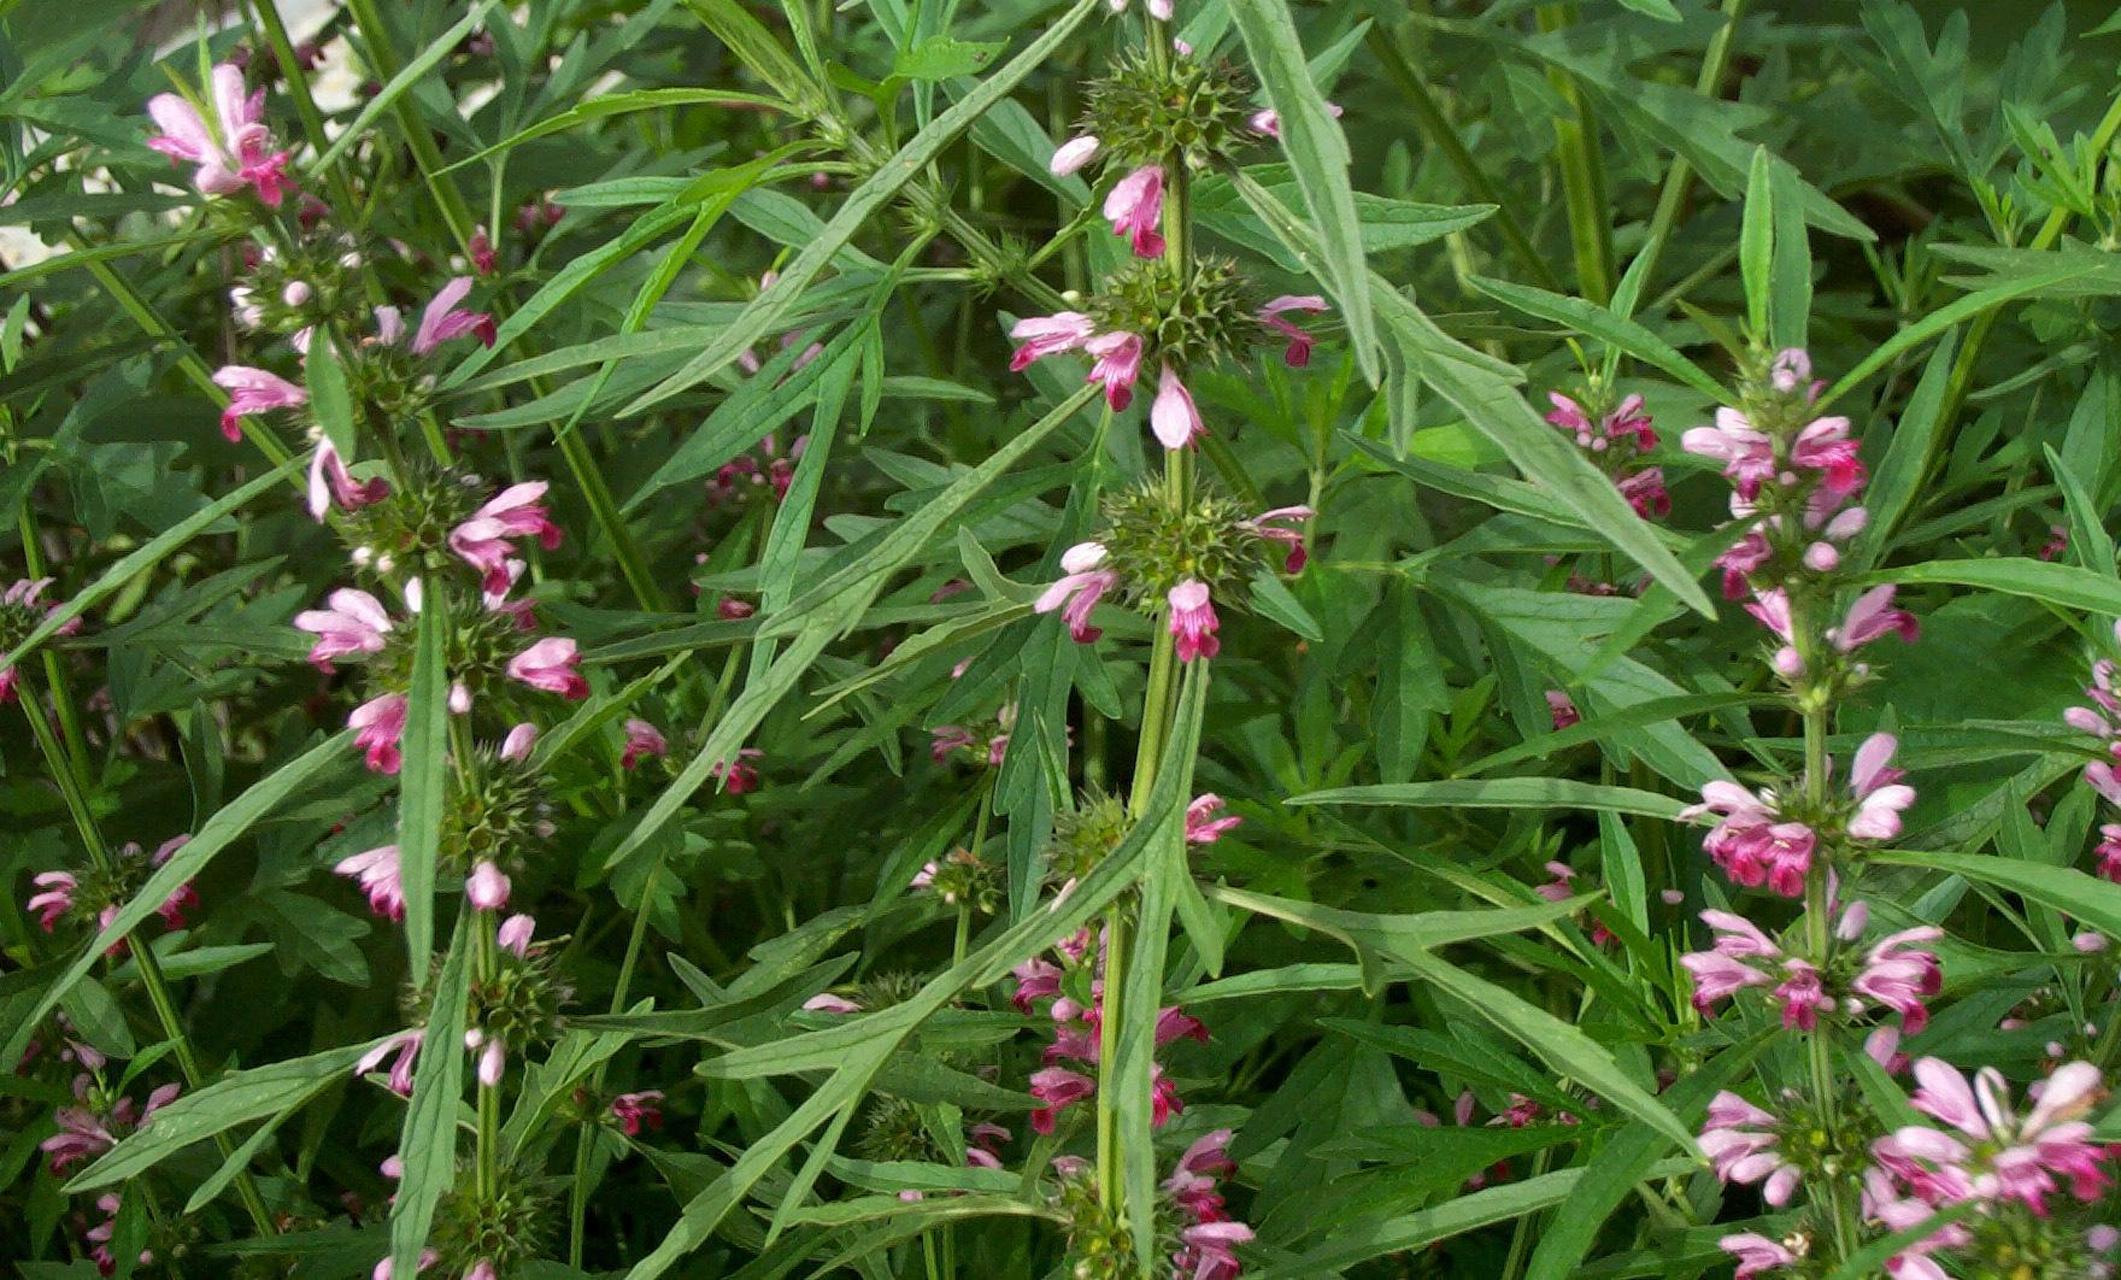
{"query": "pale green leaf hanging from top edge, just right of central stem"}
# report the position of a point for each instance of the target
(1318, 156)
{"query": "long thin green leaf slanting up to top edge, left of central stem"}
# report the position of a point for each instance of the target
(860, 209)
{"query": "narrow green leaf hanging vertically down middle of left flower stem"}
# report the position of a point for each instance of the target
(425, 778)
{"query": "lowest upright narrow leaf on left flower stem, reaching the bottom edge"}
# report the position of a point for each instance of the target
(427, 1143)
